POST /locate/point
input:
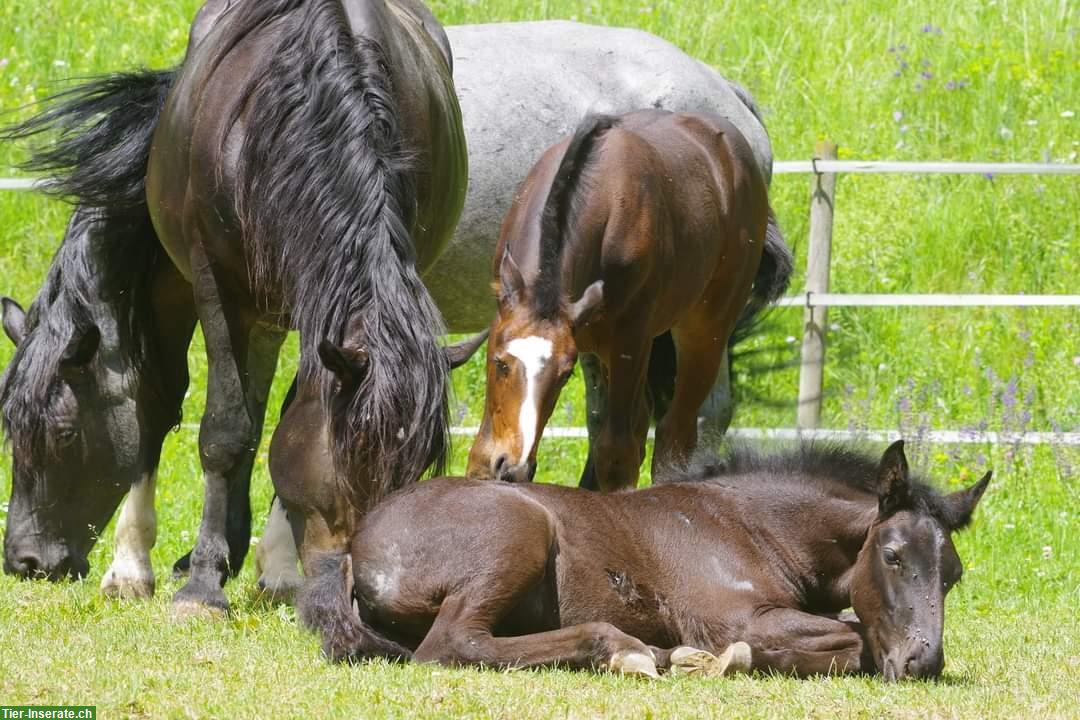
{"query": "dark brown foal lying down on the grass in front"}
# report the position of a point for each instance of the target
(762, 552)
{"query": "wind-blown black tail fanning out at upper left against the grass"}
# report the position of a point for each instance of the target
(103, 132)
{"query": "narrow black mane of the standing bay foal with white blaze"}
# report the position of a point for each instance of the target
(558, 211)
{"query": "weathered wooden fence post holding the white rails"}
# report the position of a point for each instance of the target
(822, 198)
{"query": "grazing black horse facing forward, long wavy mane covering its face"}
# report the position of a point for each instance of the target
(309, 162)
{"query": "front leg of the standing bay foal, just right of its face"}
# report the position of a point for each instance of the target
(620, 444)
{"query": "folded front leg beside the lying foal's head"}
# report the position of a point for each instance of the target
(790, 641)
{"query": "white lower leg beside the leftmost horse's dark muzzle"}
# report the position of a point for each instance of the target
(131, 575)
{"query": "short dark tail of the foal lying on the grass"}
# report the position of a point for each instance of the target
(326, 606)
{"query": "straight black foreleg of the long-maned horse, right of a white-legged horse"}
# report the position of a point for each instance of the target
(242, 357)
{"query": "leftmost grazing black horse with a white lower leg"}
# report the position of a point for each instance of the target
(100, 369)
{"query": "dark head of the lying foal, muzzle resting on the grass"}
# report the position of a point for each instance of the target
(907, 567)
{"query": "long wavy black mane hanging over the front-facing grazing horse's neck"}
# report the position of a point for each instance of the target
(327, 199)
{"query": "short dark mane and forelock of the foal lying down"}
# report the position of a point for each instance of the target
(856, 469)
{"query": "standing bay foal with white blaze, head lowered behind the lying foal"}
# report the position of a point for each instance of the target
(639, 225)
